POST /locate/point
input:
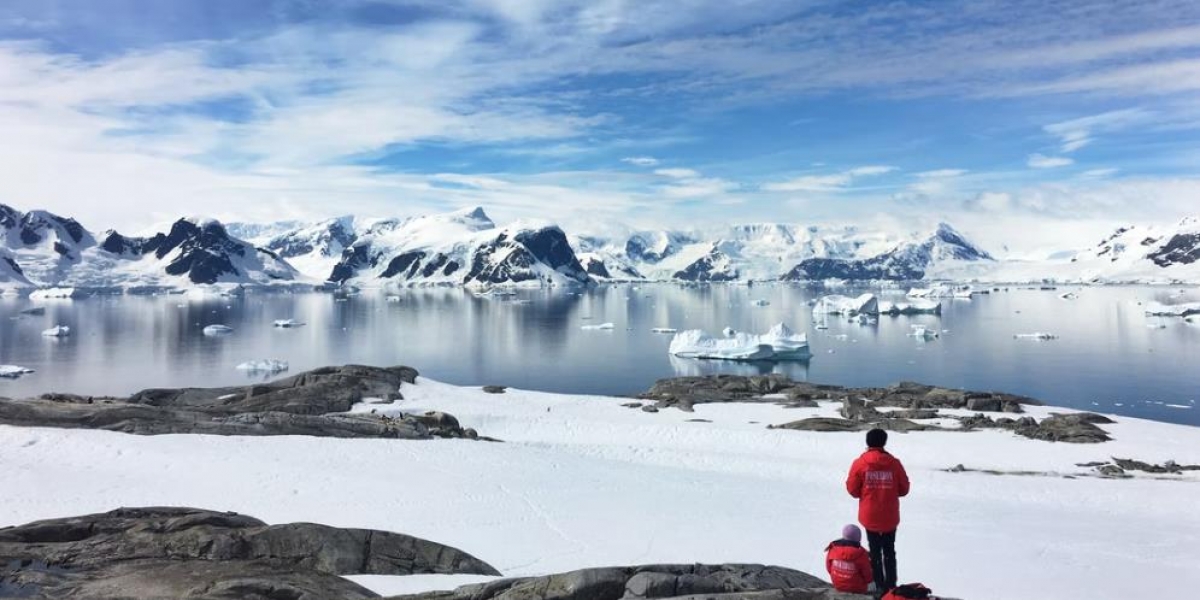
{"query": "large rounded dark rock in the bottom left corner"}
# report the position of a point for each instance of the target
(193, 554)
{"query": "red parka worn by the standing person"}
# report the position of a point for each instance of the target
(878, 481)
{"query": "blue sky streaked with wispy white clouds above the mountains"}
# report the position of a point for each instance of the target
(1030, 125)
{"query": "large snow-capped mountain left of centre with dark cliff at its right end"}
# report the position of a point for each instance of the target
(461, 248)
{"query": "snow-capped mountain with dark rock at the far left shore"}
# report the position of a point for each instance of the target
(46, 250)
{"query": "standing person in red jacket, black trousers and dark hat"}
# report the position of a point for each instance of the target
(879, 481)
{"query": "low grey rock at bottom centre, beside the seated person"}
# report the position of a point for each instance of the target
(723, 583)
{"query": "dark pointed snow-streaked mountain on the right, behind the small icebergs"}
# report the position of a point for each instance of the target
(943, 250)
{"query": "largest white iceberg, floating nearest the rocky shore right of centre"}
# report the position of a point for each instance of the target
(779, 344)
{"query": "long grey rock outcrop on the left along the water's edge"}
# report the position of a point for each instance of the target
(311, 404)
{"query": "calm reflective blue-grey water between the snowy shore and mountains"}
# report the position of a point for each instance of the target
(1106, 359)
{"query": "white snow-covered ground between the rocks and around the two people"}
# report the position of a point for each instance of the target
(584, 482)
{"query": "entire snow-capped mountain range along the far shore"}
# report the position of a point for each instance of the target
(466, 248)
